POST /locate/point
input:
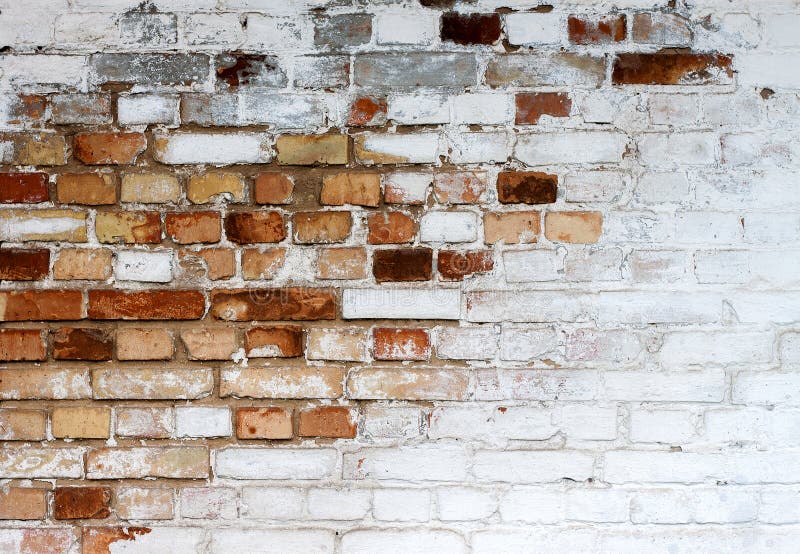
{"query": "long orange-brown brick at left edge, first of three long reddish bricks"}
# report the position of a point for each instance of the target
(41, 305)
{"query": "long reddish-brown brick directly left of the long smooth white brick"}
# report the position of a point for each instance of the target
(291, 304)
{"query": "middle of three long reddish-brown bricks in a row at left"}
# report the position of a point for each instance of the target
(154, 304)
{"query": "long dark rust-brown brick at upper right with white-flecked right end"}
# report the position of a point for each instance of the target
(670, 69)
